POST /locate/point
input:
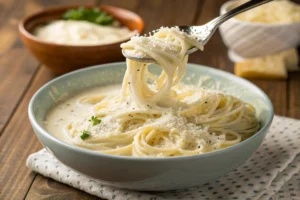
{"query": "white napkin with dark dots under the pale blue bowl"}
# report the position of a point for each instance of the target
(273, 172)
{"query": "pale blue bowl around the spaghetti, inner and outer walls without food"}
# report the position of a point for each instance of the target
(147, 174)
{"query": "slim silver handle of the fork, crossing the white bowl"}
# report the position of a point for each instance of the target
(242, 8)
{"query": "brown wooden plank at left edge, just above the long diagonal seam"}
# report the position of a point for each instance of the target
(15, 75)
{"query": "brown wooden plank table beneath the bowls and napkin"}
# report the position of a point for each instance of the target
(21, 76)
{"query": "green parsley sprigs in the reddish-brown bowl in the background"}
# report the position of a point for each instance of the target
(94, 15)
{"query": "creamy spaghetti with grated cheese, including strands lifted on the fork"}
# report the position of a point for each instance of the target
(157, 116)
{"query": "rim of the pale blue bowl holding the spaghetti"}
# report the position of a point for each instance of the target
(76, 149)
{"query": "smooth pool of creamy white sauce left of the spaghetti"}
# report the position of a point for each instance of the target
(70, 110)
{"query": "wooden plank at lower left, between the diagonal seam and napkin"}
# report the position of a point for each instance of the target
(17, 143)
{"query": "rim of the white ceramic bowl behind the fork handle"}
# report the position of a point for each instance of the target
(224, 7)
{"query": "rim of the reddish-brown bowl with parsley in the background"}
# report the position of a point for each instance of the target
(23, 31)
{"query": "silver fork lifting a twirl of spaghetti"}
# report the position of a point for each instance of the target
(204, 33)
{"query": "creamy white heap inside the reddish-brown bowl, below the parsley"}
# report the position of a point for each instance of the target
(81, 33)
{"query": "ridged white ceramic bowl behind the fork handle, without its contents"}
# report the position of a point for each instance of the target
(249, 39)
